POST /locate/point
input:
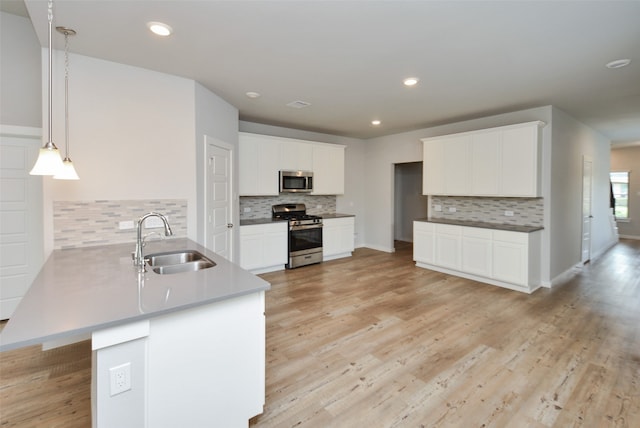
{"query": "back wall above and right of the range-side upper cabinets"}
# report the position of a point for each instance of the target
(353, 200)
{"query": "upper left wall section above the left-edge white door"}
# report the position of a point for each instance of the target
(20, 83)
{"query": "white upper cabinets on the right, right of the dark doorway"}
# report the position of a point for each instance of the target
(503, 161)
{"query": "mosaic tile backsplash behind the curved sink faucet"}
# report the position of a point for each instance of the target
(90, 223)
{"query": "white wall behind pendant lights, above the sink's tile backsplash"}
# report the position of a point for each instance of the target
(132, 134)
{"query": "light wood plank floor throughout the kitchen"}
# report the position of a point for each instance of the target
(374, 341)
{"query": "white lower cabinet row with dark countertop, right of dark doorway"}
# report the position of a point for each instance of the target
(504, 258)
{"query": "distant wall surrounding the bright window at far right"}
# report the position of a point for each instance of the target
(628, 159)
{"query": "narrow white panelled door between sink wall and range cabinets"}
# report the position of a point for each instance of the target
(218, 198)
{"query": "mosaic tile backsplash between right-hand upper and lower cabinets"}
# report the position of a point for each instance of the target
(526, 211)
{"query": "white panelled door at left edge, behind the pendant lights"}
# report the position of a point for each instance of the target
(21, 248)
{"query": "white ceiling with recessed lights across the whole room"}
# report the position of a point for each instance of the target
(348, 58)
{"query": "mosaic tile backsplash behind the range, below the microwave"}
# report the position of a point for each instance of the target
(260, 206)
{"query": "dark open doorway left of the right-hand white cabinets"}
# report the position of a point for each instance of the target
(409, 202)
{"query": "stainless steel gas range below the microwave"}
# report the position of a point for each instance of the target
(305, 234)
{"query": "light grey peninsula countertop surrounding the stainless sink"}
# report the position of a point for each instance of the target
(82, 290)
